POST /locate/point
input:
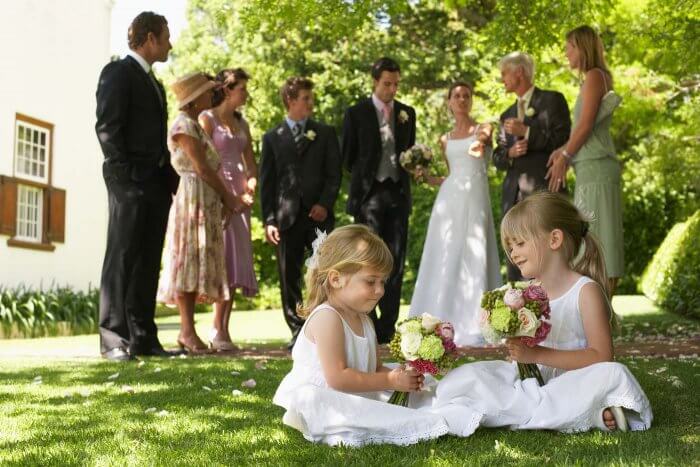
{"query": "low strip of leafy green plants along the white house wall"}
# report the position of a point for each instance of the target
(25, 312)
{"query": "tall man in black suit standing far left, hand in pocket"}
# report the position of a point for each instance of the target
(132, 130)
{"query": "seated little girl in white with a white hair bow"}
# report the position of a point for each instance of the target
(337, 389)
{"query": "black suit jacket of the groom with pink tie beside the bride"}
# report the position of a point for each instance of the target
(362, 148)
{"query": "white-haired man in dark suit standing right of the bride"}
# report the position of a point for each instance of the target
(534, 126)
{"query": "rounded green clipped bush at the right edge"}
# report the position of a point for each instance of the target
(672, 278)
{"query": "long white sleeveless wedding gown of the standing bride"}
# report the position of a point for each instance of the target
(460, 255)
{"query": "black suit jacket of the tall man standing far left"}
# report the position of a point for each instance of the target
(132, 125)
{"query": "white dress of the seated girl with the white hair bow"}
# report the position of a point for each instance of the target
(324, 415)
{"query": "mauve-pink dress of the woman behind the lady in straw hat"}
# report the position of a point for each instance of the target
(238, 242)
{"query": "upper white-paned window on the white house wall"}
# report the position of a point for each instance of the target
(32, 149)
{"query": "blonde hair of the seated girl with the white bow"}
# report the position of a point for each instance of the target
(346, 250)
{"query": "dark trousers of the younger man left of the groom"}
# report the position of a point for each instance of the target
(292, 247)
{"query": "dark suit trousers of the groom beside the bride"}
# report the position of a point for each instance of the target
(386, 211)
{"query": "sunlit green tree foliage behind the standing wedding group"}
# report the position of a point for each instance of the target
(439, 41)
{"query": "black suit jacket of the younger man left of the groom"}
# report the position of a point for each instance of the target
(292, 179)
